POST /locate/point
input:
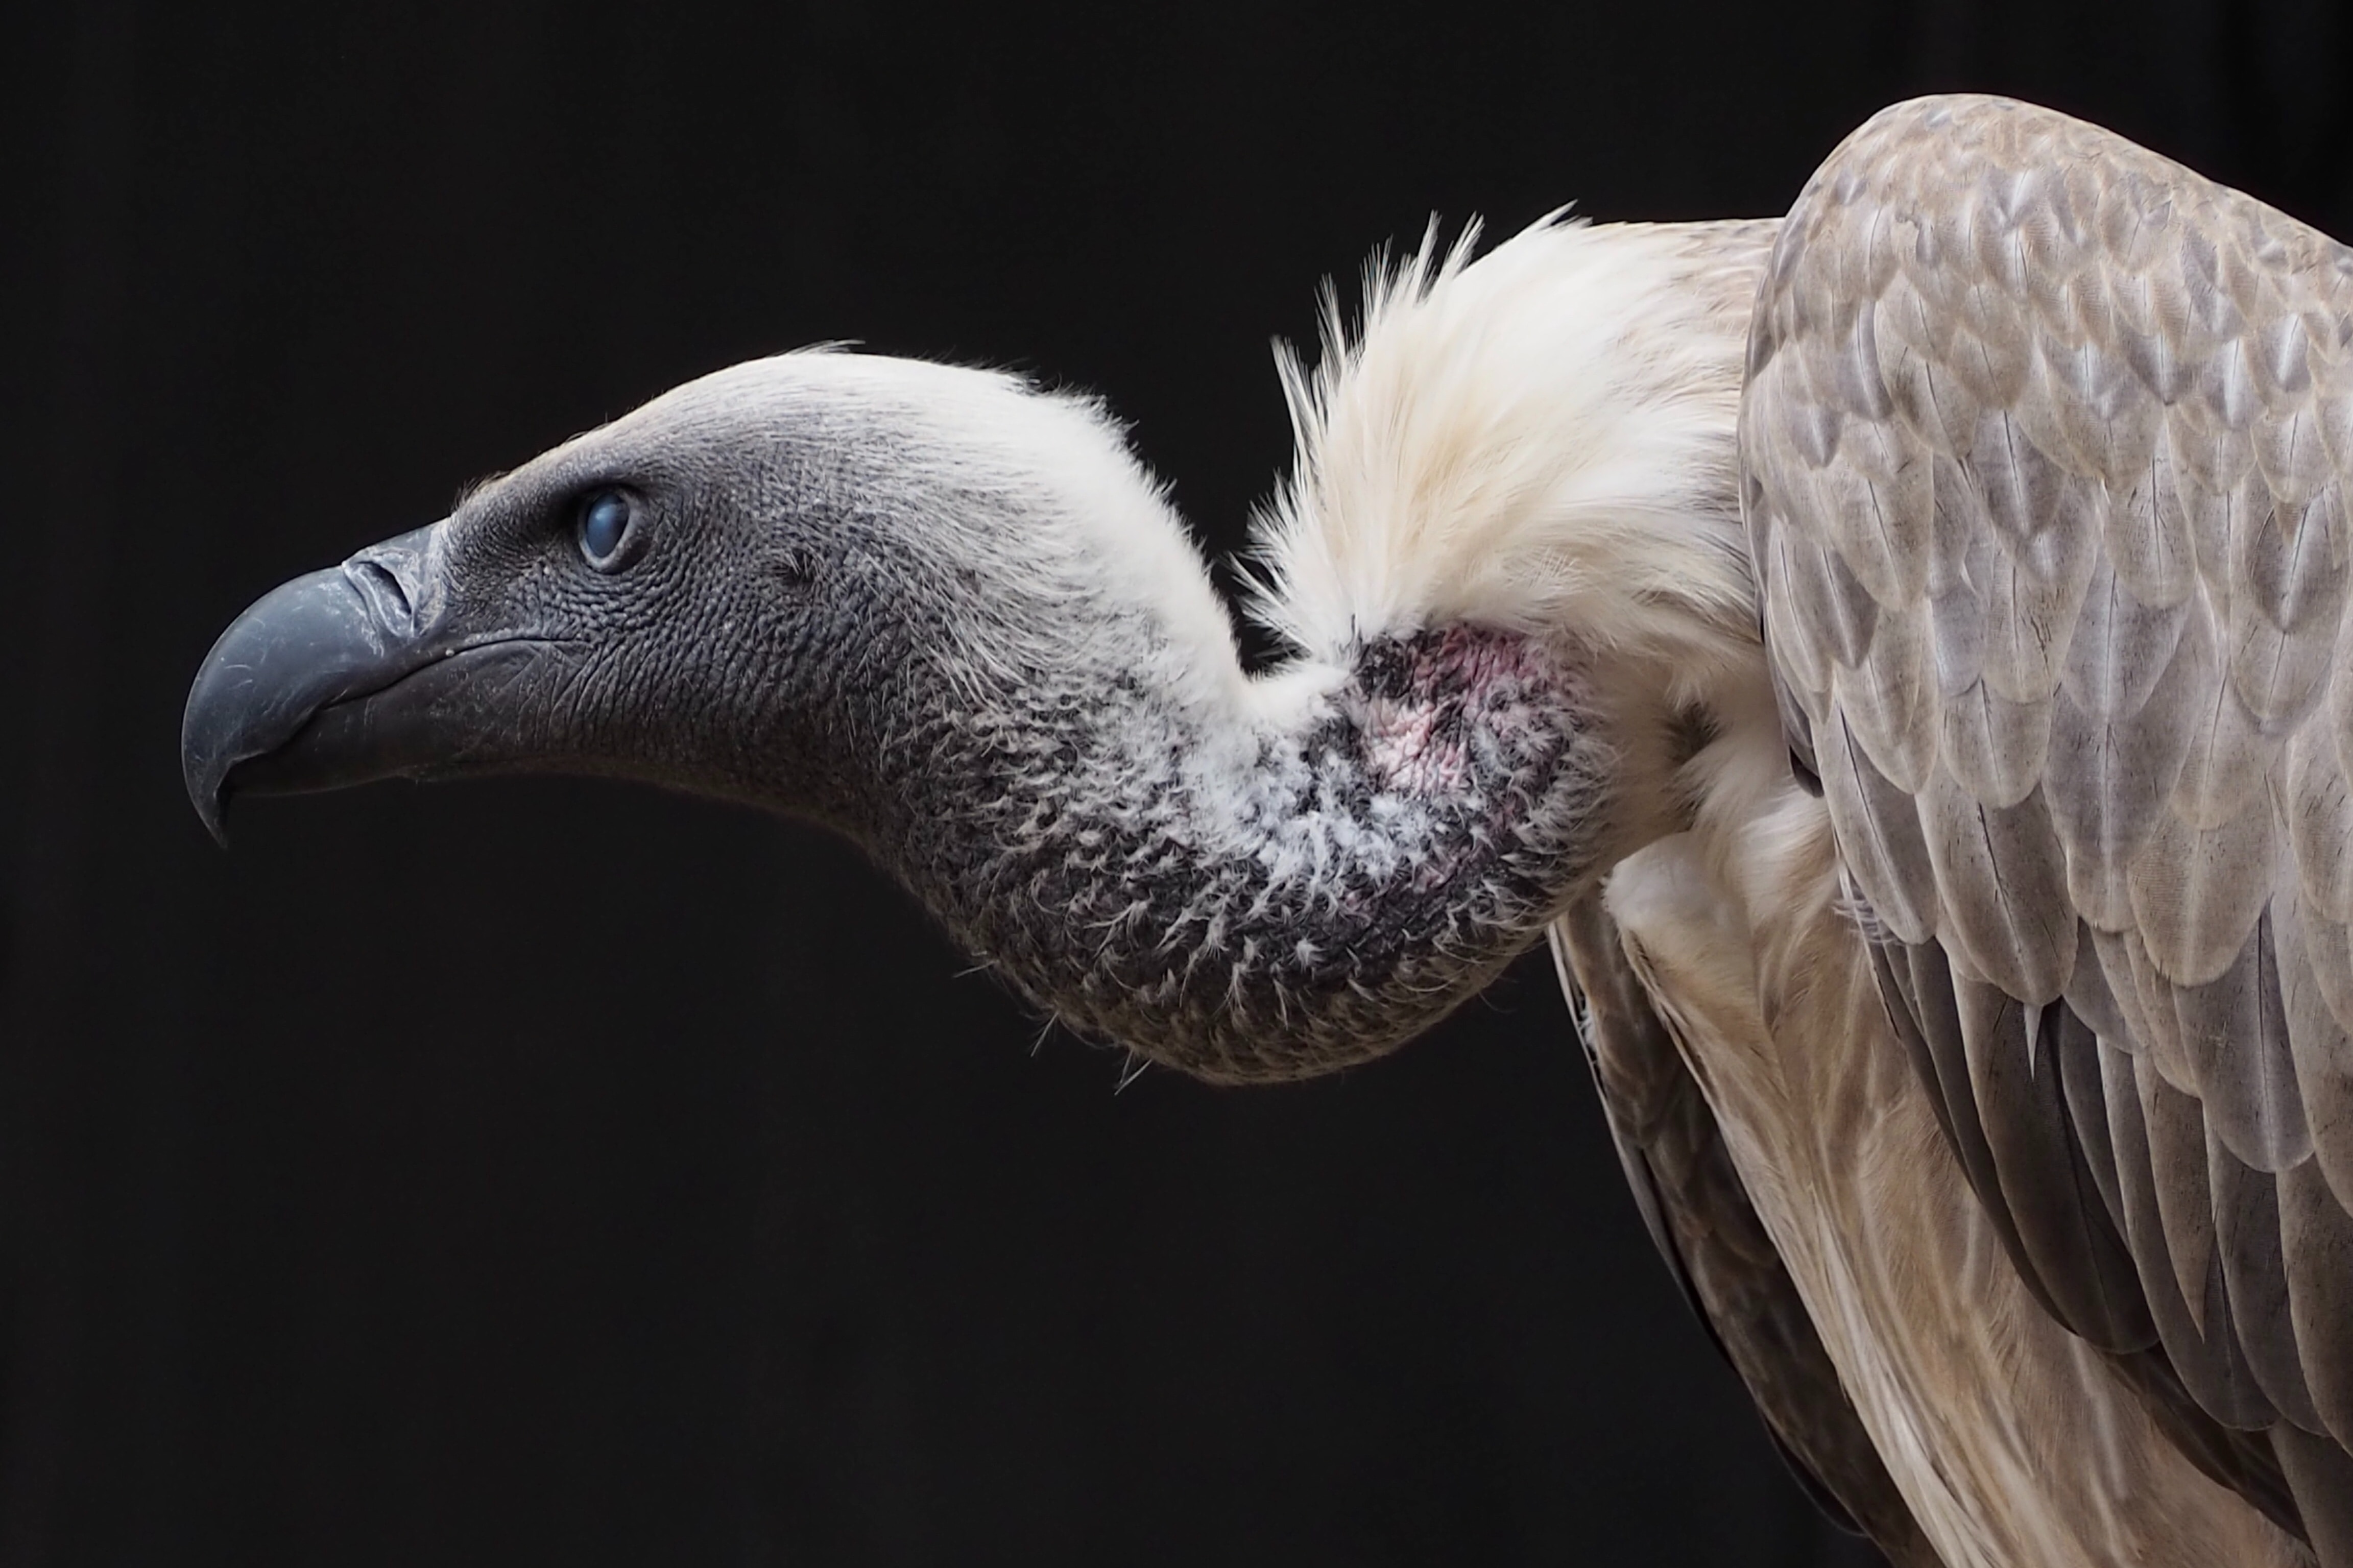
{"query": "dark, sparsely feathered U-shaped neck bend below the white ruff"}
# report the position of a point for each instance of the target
(1272, 886)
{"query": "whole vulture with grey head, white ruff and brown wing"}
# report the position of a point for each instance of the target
(1895, 656)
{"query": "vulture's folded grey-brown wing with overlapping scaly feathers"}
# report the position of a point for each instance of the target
(2046, 456)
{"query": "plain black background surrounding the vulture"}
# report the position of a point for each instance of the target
(571, 1174)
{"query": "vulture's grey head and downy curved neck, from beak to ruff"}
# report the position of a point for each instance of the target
(829, 606)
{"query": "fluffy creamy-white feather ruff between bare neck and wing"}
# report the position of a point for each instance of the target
(1538, 441)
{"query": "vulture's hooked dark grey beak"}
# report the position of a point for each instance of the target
(347, 677)
